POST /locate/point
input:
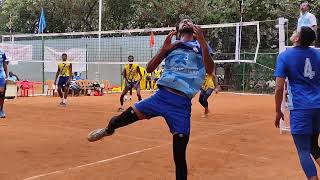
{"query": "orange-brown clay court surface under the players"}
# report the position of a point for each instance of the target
(40, 140)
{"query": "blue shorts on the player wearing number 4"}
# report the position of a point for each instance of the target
(305, 121)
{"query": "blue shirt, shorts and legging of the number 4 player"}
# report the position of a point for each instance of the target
(301, 65)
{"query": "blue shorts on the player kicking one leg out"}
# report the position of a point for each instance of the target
(176, 110)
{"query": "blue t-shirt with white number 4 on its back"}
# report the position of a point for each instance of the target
(302, 68)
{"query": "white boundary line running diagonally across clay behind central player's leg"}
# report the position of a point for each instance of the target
(141, 151)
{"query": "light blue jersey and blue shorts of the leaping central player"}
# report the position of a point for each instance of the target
(183, 73)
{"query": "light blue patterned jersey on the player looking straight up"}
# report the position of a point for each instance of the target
(184, 69)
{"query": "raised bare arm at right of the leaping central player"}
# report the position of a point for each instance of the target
(207, 59)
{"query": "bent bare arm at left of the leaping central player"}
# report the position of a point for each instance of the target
(158, 58)
